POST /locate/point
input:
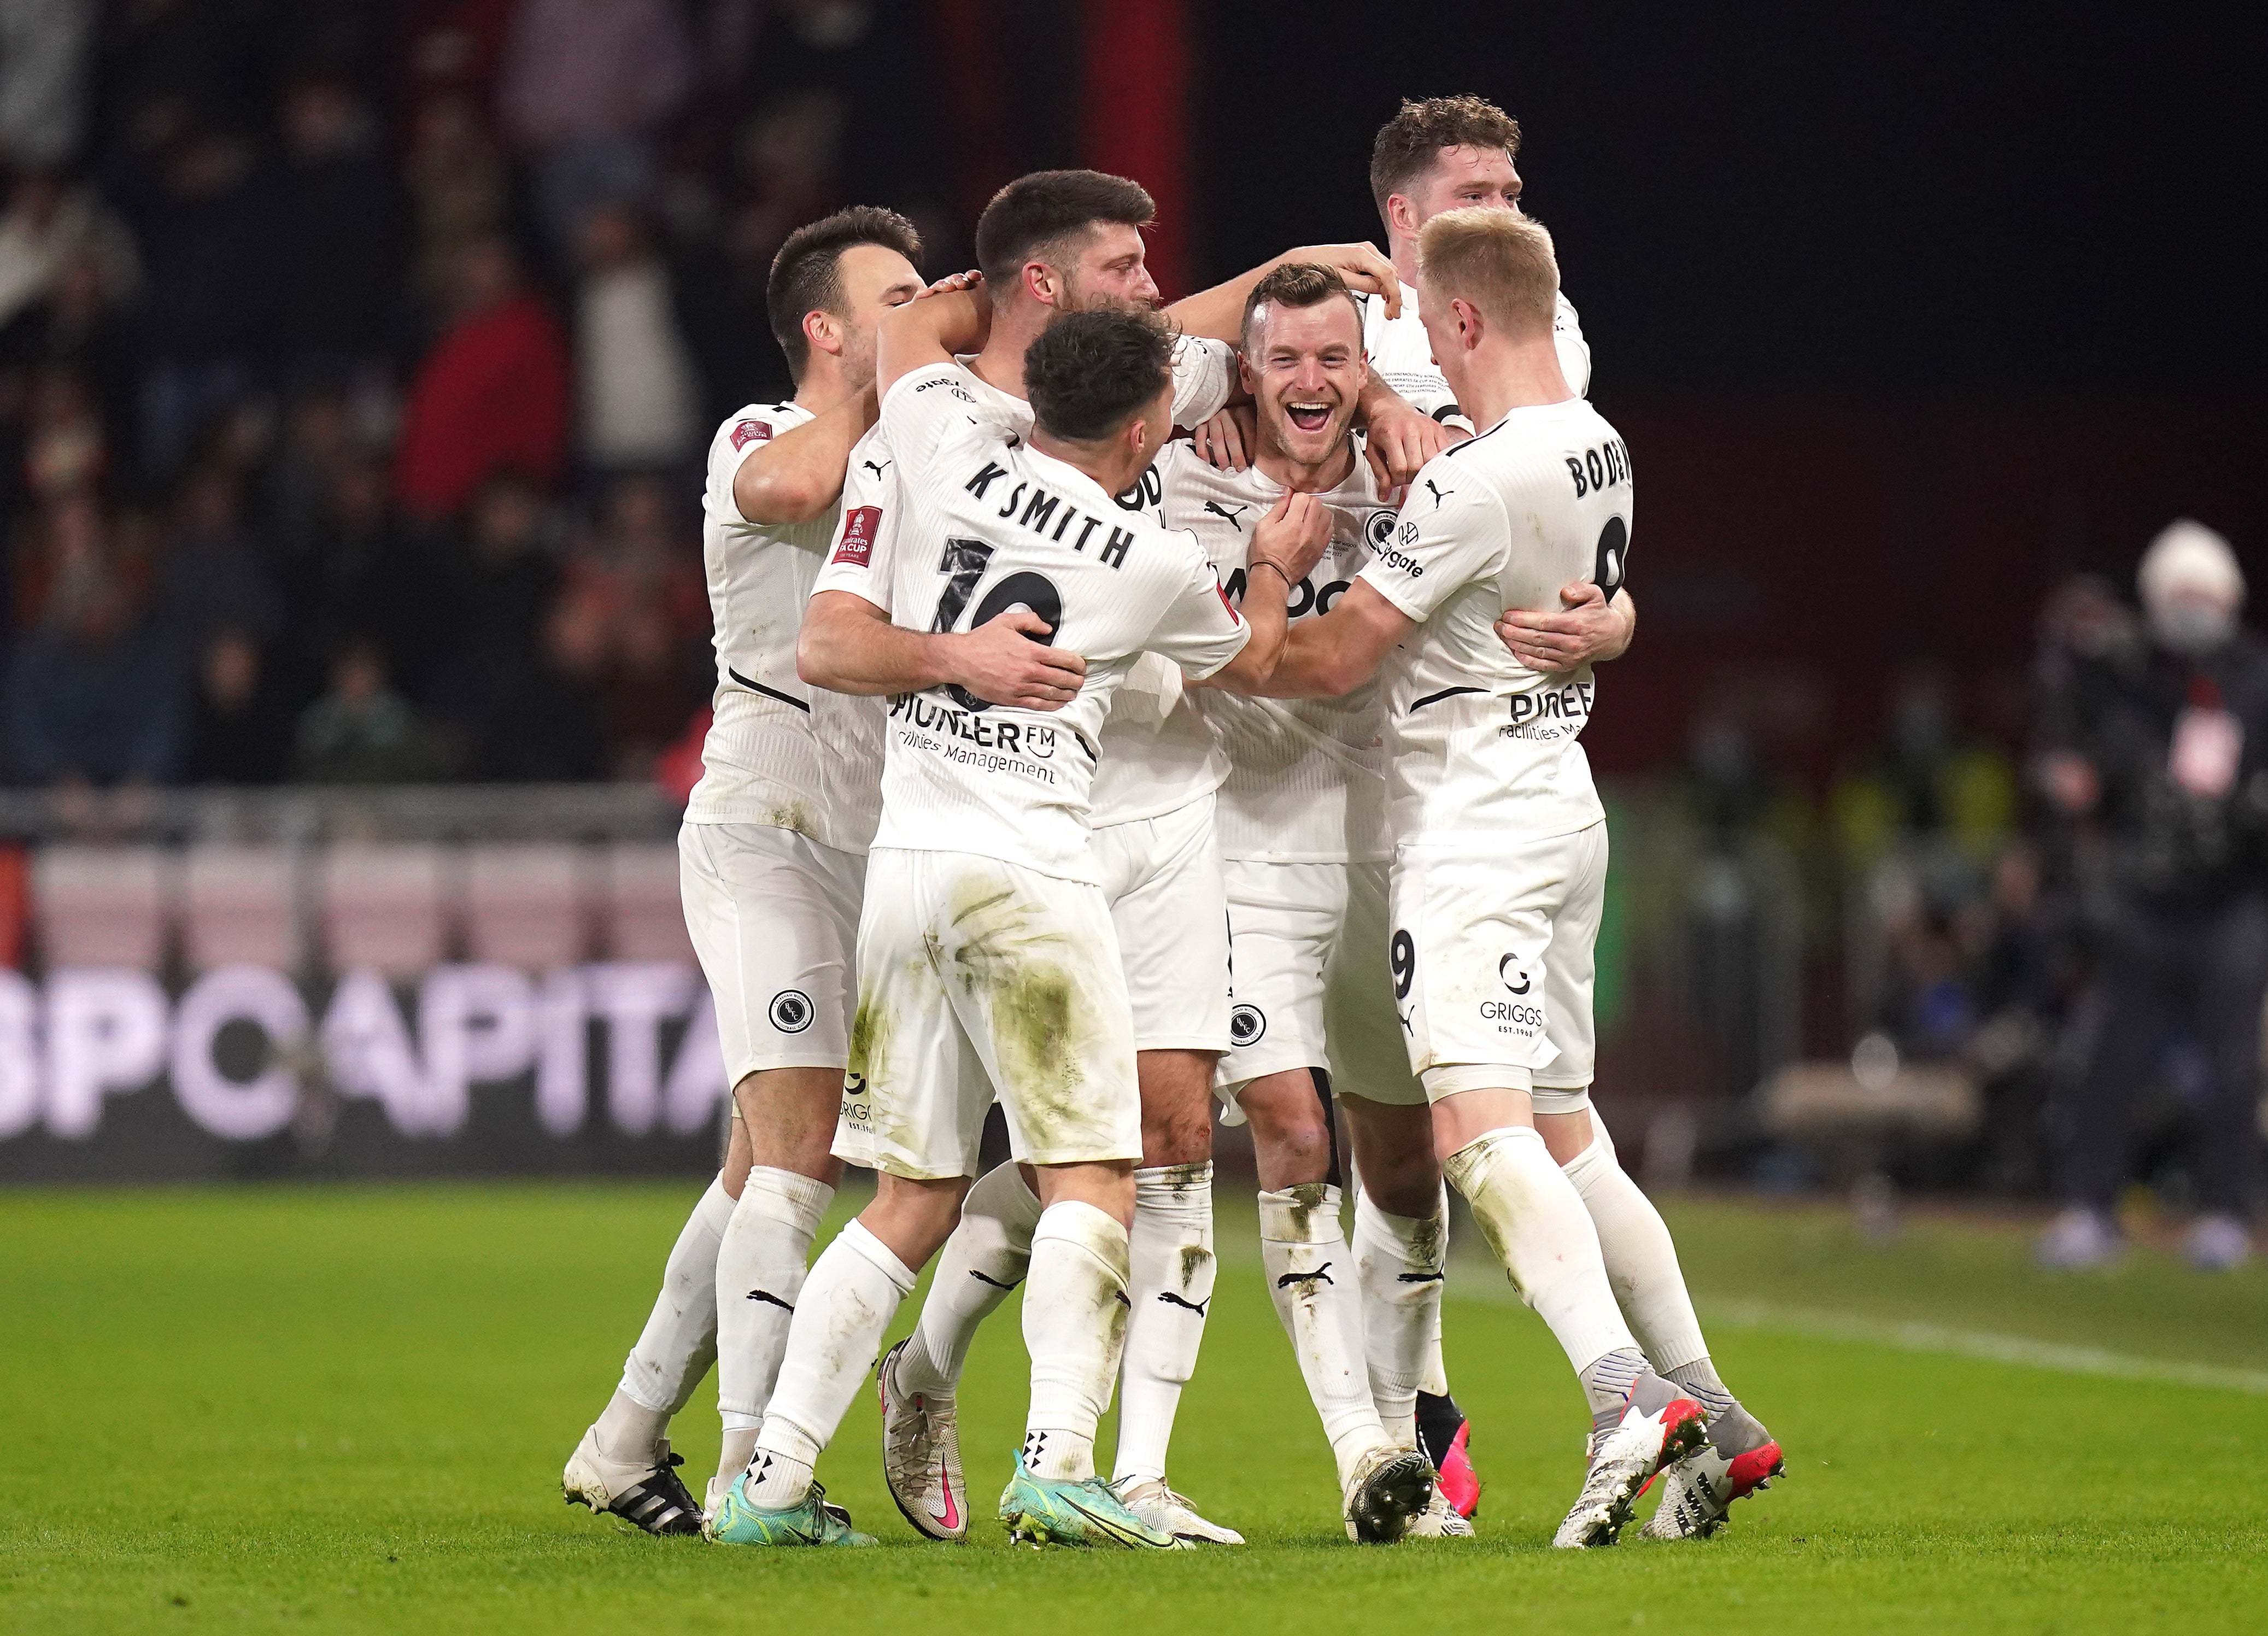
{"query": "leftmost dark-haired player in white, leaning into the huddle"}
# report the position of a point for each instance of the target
(772, 857)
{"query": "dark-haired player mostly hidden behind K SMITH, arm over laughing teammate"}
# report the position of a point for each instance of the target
(1051, 244)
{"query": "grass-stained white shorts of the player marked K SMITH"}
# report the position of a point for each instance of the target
(985, 979)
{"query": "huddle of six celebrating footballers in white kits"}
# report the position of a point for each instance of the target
(1101, 773)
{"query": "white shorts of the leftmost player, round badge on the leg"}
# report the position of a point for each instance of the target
(775, 925)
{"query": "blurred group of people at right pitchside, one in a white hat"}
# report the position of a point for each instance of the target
(2060, 900)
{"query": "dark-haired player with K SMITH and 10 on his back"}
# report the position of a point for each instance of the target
(988, 959)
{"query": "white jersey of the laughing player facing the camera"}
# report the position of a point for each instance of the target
(1308, 777)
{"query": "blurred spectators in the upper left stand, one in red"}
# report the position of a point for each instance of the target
(357, 364)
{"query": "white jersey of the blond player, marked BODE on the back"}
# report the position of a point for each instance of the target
(1482, 745)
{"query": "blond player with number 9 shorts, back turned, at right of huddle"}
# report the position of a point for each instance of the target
(1500, 872)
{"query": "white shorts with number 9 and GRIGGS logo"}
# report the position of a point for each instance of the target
(1493, 956)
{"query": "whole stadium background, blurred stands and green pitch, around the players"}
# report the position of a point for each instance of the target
(314, 734)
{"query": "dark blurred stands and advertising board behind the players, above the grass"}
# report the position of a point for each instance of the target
(357, 362)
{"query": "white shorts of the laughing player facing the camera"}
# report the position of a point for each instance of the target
(1312, 990)
